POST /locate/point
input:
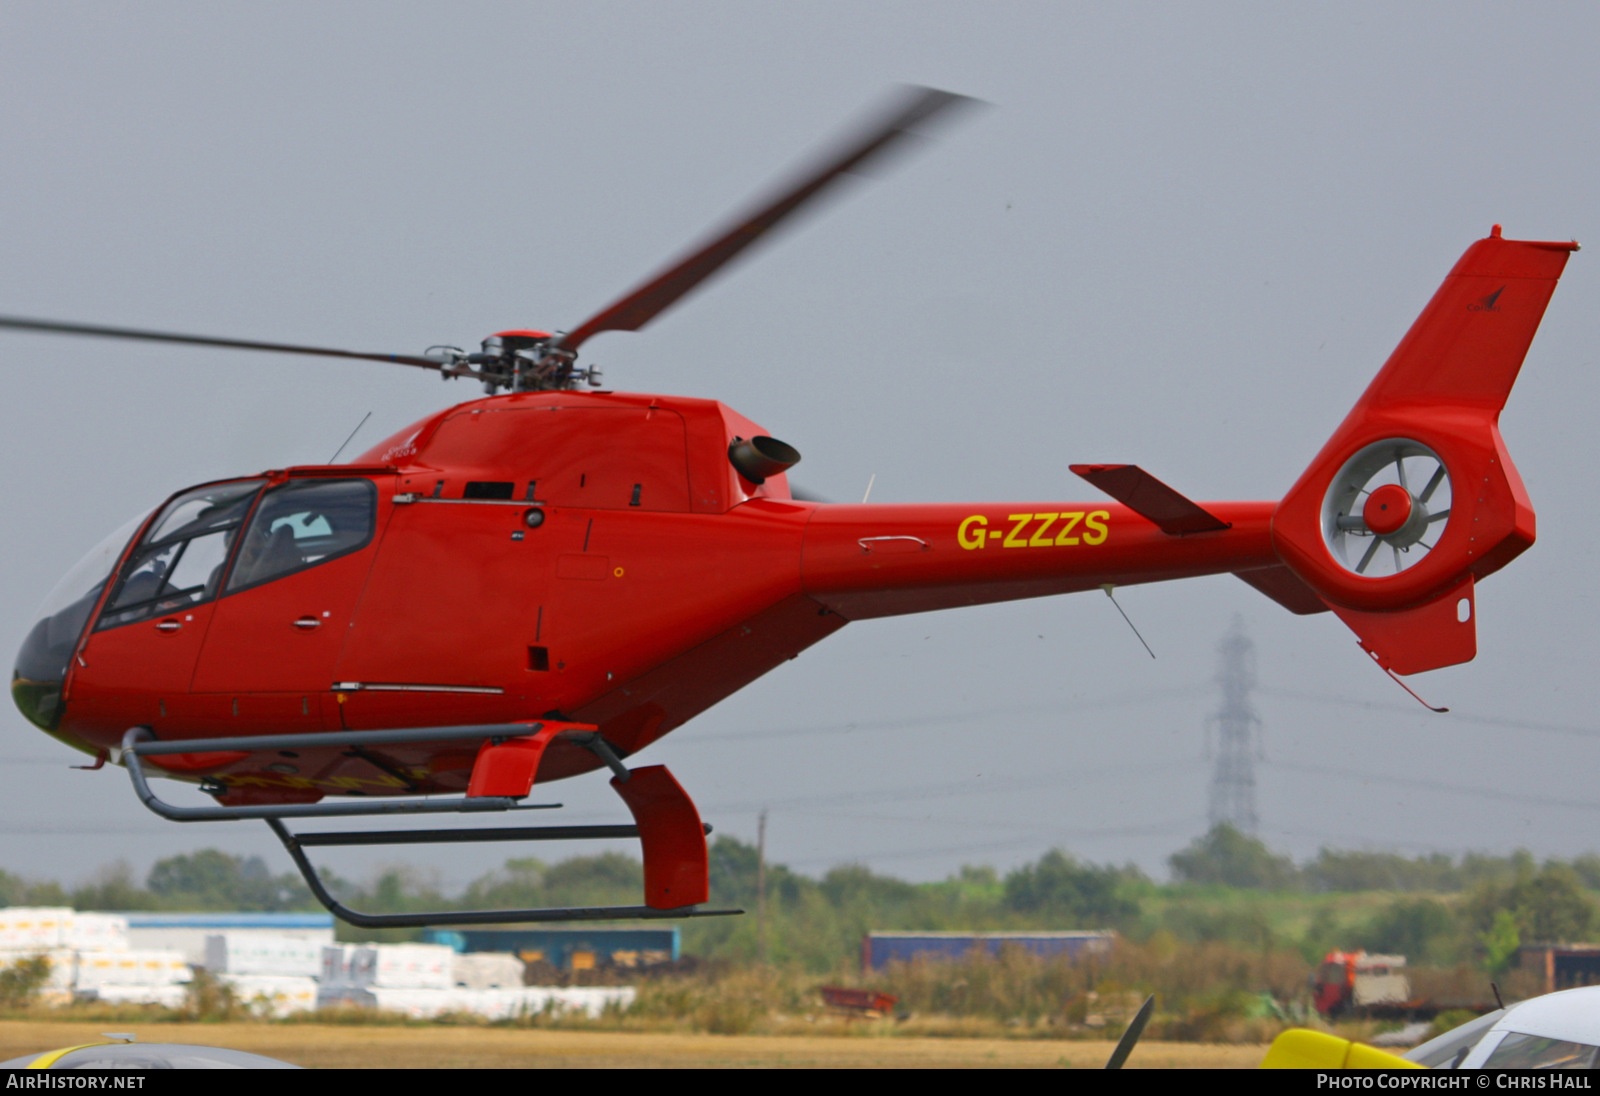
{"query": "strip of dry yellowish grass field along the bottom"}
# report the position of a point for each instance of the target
(354, 1047)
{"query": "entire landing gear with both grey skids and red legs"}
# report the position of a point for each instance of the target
(666, 823)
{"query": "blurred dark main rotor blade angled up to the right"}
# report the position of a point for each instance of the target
(847, 158)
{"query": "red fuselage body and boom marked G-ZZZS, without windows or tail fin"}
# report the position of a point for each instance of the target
(649, 583)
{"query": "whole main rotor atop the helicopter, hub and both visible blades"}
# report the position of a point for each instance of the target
(538, 361)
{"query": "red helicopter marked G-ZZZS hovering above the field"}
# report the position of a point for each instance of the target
(548, 580)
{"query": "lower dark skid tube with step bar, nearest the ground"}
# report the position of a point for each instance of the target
(470, 918)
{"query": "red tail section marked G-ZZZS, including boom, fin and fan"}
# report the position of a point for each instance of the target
(1438, 401)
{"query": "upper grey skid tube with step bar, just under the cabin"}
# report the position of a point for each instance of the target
(138, 743)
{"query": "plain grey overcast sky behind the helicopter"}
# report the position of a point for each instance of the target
(1188, 236)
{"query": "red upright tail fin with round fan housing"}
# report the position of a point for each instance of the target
(1415, 498)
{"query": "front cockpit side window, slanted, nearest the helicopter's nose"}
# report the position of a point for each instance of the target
(180, 561)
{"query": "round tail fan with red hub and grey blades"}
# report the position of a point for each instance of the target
(1386, 508)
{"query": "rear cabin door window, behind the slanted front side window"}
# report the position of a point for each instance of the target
(305, 524)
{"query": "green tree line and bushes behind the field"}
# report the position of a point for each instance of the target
(1226, 887)
